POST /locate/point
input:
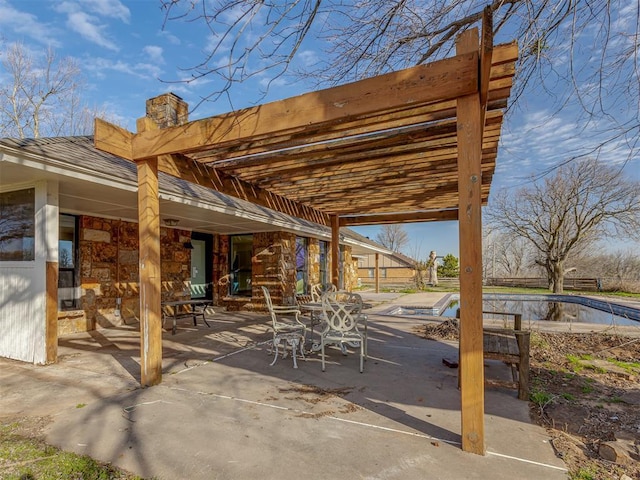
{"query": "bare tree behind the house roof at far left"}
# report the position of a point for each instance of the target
(41, 96)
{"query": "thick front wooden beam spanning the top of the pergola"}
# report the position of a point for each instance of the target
(437, 81)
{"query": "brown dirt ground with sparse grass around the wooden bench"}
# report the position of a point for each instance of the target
(585, 391)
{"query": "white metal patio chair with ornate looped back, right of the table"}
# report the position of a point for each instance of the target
(342, 313)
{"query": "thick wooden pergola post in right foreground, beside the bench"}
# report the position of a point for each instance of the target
(469, 131)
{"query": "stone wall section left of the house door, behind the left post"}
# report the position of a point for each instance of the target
(108, 251)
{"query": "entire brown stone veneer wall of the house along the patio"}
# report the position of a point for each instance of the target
(109, 270)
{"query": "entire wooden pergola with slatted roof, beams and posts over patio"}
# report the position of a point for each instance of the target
(414, 145)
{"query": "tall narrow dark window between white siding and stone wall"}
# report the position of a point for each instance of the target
(68, 291)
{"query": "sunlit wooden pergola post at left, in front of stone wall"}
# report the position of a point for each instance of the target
(149, 252)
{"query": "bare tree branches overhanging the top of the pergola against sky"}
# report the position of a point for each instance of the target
(366, 38)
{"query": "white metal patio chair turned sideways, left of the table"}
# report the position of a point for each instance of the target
(287, 328)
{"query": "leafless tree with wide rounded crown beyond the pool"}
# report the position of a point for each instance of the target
(567, 213)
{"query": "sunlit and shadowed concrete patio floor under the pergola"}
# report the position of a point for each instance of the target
(222, 412)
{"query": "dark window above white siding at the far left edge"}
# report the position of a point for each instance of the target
(17, 226)
